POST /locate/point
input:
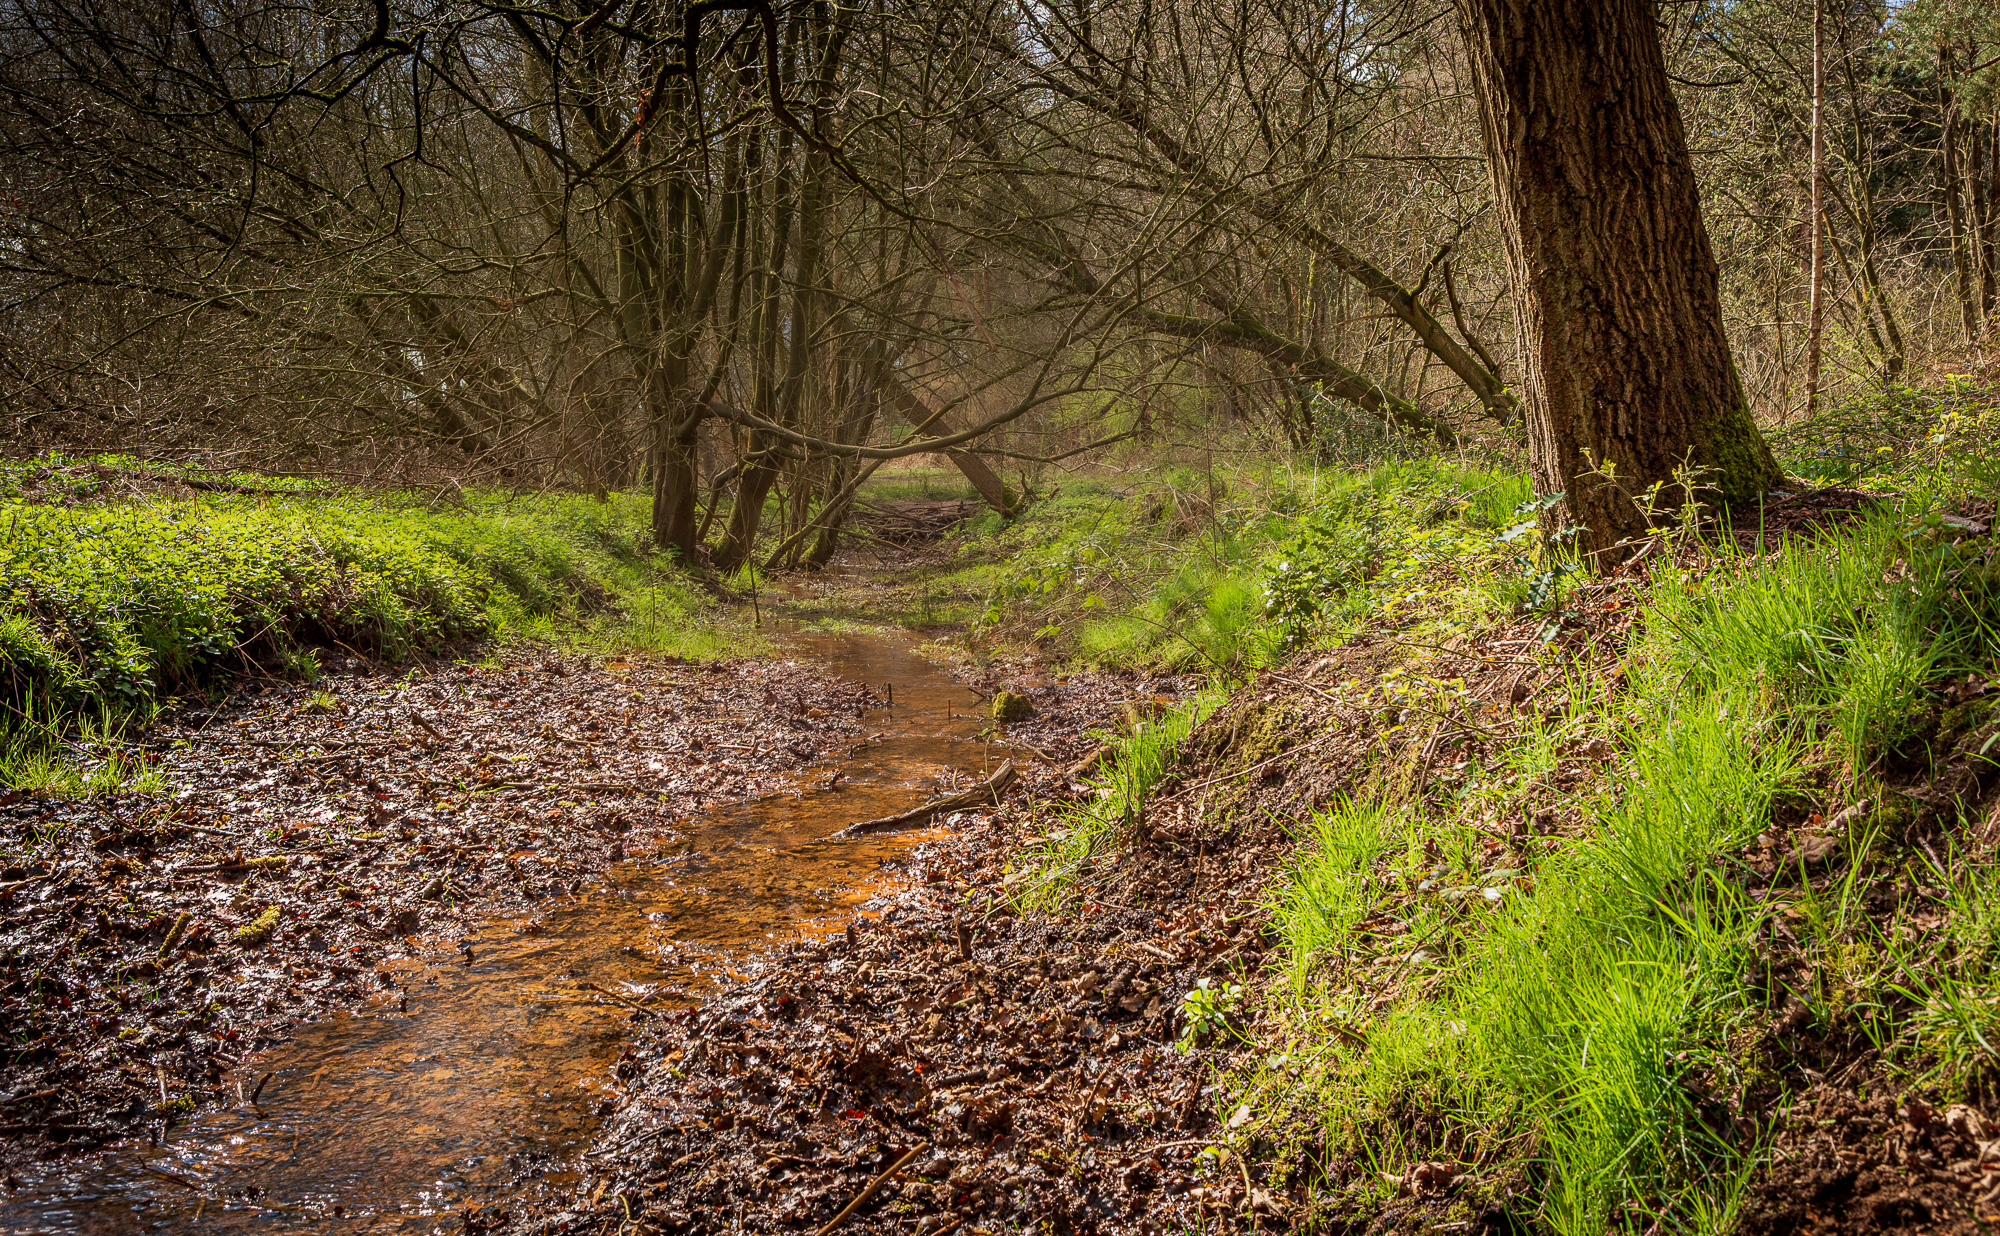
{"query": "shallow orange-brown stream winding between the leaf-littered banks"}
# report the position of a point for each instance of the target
(489, 1085)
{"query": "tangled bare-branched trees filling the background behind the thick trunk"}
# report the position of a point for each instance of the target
(745, 253)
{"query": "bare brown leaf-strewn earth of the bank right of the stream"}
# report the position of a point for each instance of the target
(959, 1065)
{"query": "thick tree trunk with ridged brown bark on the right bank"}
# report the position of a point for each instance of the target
(1627, 371)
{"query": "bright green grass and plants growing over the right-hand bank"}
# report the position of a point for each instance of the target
(1569, 971)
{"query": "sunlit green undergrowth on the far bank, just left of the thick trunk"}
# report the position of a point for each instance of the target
(1223, 573)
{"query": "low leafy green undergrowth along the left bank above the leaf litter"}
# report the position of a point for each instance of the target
(111, 603)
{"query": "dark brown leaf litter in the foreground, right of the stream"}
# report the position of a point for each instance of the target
(1019, 1069)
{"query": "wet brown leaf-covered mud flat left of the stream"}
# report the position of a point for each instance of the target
(375, 815)
